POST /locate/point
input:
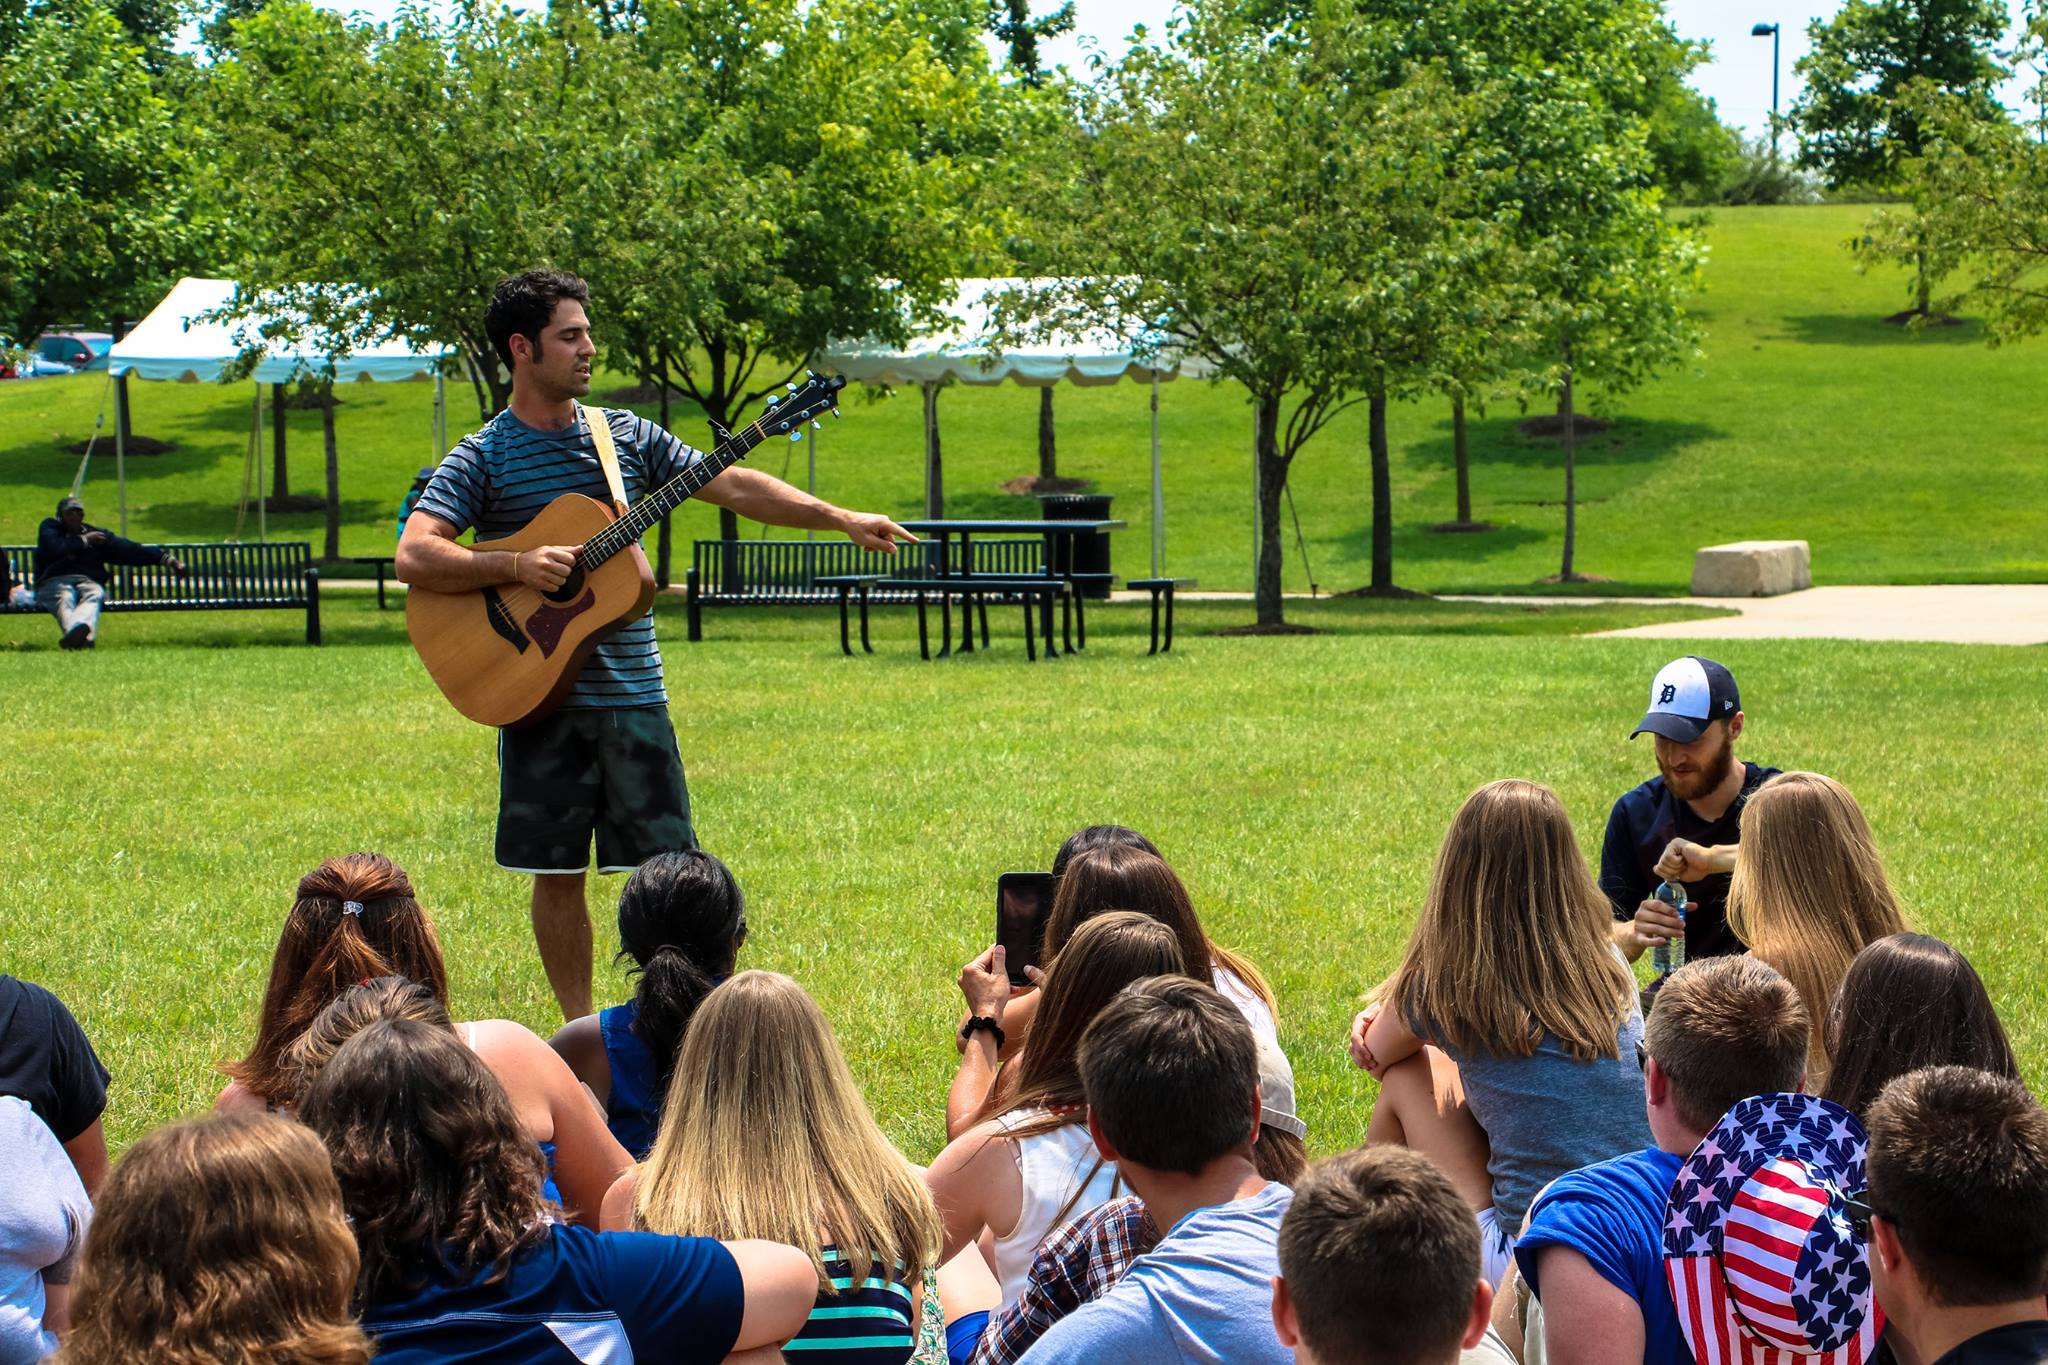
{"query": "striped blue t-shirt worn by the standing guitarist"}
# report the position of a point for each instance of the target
(501, 478)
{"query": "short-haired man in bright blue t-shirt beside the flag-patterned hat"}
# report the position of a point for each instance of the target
(1592, 1253)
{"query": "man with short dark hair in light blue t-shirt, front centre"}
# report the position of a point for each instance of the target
(1172, 1082)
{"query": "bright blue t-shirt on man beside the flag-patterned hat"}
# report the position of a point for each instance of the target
(1613, 1215)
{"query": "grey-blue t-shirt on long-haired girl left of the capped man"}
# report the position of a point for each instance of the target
(1549, 1112)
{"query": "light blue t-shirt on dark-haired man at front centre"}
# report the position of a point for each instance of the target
(1203, 1296)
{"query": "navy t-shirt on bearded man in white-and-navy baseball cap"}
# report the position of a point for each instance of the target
(1641, 826)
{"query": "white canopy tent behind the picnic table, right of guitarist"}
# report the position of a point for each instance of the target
(968, 353)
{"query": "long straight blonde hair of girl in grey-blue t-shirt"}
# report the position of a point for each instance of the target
(1512, 940)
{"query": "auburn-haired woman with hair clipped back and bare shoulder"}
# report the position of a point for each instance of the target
(357, 920)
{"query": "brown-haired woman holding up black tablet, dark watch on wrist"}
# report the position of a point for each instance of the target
(1115, 875)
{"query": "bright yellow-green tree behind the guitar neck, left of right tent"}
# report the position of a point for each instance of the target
(814, 165)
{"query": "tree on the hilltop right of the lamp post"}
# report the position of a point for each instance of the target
(1852, 120)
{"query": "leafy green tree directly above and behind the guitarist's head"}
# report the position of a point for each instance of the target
(433, 157)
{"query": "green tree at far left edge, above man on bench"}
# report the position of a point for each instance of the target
(93, 173)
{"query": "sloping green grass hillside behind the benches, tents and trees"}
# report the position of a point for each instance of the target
(1902, 457)
